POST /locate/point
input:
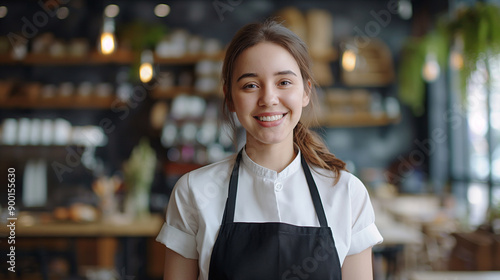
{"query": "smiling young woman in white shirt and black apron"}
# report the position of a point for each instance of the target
(284, 207)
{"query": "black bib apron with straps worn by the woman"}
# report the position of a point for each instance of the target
(273, 251)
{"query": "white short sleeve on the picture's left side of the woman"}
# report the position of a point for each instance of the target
(178, 233)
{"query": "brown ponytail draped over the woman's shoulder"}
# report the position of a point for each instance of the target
(315, 151)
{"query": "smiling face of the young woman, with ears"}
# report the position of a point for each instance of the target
(268, 94)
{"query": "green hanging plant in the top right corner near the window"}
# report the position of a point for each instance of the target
(479, 28)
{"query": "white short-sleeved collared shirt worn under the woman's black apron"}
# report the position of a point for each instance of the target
(196, 206)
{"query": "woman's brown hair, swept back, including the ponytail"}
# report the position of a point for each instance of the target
(310, 144)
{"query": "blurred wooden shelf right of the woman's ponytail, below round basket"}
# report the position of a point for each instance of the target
(356, 120)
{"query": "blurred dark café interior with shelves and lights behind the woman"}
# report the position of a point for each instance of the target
(105, 104)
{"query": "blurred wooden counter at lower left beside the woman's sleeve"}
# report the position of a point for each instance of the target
(94, 244)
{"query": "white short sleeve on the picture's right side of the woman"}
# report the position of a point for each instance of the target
(365, 233)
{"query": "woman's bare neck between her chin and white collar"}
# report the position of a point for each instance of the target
(272, 156)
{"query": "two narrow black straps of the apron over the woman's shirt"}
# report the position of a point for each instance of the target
(233, 186)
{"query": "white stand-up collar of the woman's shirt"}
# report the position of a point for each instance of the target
(267, 173)
